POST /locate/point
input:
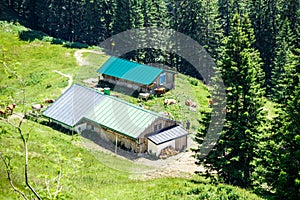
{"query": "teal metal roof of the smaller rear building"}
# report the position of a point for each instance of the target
(130, 71)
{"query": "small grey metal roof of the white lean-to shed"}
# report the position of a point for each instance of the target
(168, 135)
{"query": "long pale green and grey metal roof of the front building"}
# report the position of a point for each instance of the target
(79, 102)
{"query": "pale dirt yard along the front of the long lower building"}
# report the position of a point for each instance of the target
(180, 165)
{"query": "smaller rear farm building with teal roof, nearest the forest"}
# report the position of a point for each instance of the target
(137, 76)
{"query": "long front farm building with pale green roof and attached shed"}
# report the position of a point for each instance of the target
(114, 120)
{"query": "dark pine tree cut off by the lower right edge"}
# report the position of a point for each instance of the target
(278, 158)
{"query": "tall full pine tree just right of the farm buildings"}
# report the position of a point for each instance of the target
(241, 71)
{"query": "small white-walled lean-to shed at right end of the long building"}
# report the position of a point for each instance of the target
(175, 137)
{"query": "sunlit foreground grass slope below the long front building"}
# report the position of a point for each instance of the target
(89, 176)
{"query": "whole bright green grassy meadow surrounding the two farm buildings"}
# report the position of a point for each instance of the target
(57, 159)
